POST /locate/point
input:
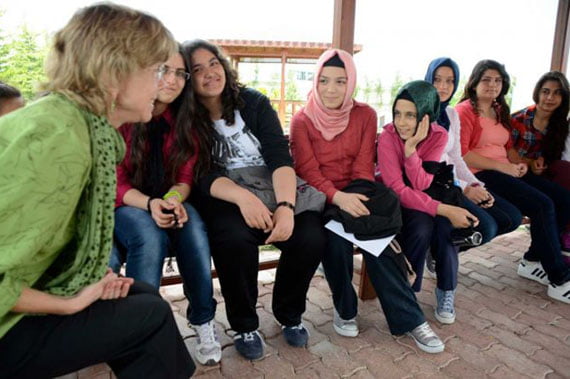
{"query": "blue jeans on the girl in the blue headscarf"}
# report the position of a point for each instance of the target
(501, 218)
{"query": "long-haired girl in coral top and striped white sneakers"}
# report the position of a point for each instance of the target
(485, 135)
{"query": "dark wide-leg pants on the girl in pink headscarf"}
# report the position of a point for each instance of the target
(396, 297)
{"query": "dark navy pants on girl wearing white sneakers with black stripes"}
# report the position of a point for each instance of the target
(546, 222)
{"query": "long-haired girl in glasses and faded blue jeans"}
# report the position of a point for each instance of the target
(152, 216)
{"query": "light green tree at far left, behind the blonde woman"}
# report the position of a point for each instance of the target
(23, 65)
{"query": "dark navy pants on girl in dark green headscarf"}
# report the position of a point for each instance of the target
(421, 232)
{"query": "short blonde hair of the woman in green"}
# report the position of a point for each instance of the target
(99, 47)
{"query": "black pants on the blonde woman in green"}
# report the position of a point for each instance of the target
(137, 337)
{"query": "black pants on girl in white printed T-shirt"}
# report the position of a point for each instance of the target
(234, 248)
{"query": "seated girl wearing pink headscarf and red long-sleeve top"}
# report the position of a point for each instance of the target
(333, 143)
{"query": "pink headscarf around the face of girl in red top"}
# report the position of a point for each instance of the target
(331, 122)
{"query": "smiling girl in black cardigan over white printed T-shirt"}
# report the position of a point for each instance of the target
(241, 138)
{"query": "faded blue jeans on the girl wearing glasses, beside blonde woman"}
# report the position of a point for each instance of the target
(146, 245)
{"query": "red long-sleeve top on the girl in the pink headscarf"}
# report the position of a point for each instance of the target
(330, 165)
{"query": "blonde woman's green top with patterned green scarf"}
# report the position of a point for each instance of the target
(57, 186)
